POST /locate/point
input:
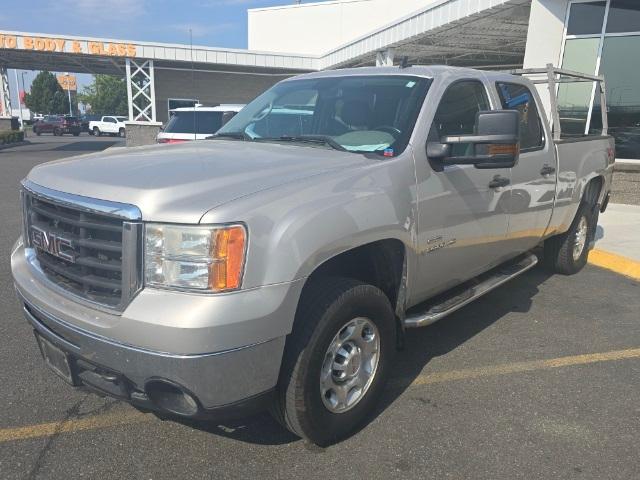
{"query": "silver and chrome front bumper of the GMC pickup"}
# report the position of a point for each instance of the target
(105, 359)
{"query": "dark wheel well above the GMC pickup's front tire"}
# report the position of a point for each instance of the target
(379, 263)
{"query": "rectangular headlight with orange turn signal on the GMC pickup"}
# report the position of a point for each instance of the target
(194, 257)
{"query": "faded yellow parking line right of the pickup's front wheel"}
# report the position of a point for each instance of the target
(517, 367)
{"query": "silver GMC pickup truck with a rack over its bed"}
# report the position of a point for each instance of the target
(281, 263)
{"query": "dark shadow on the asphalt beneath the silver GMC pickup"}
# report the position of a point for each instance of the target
(422, 345)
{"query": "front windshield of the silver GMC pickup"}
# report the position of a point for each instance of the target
(358, 113)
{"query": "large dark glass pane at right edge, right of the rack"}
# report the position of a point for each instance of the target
(623, 95)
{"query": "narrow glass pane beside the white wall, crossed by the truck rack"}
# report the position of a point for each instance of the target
(580, 55)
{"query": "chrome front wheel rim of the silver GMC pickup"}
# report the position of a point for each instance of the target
(350, 364)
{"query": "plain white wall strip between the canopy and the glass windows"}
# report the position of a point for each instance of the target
(544, 38)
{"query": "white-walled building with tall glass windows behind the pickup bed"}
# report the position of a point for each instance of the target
(595, 37)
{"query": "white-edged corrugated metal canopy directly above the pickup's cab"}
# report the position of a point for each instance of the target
(467, 33)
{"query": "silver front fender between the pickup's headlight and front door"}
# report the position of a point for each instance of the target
(296, 227)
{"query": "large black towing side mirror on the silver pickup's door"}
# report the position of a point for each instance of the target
(494, 145)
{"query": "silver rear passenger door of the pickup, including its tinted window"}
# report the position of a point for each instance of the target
(533, 179)
